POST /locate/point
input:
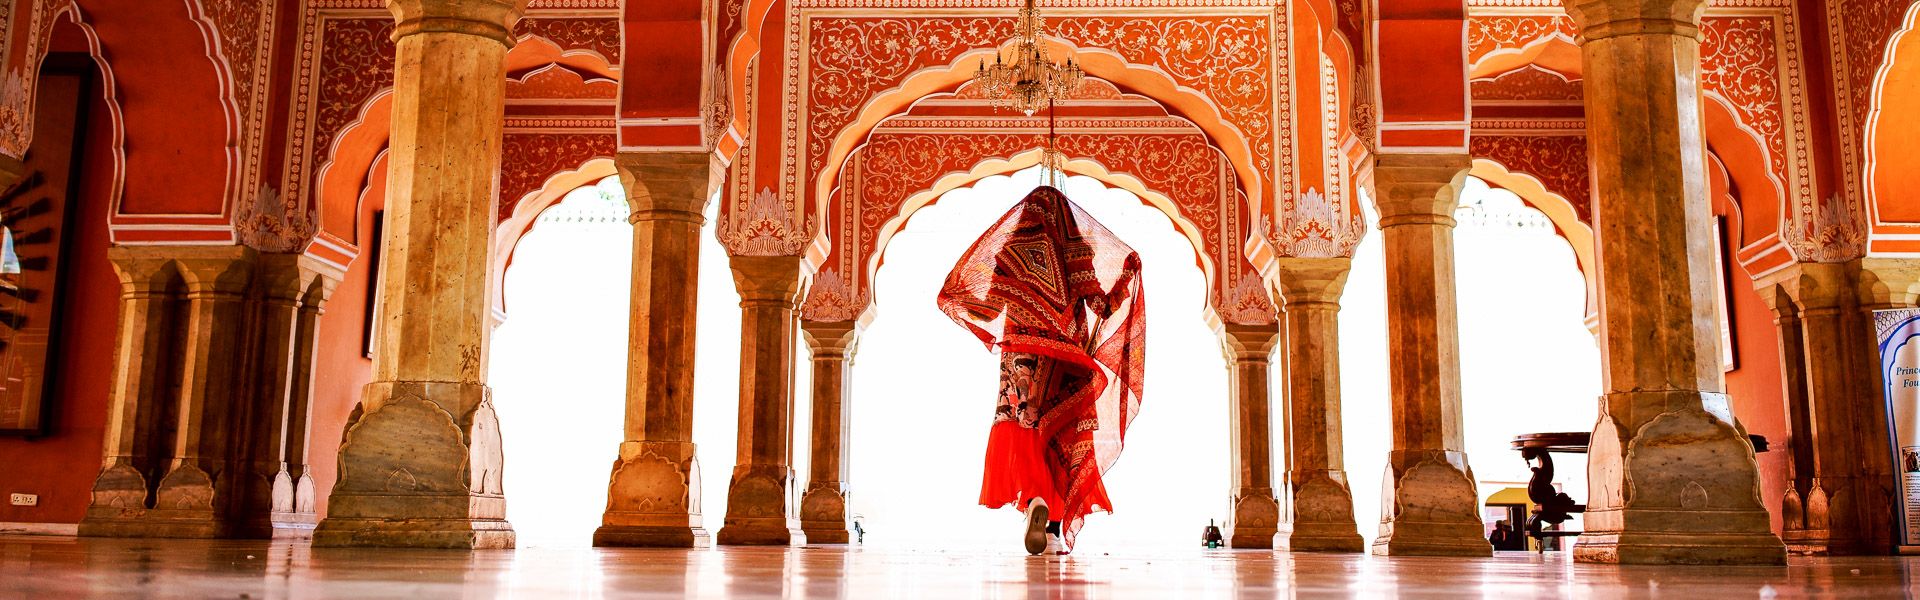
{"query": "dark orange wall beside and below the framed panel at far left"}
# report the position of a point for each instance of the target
(62, 466)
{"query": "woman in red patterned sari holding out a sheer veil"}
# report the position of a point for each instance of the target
(1061, 301)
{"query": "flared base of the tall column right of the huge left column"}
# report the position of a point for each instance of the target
(654, 499)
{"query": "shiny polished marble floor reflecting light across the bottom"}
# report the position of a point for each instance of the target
(84, 568)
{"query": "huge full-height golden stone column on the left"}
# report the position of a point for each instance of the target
(420, 464)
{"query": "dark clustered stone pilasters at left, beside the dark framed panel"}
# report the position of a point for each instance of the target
(172, 462)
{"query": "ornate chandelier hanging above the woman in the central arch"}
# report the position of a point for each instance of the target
(1030, 80)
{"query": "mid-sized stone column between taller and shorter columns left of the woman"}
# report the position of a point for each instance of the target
(759, 505)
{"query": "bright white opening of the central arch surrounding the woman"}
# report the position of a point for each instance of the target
(923, 389)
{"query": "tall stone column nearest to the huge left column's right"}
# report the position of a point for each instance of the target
(654, 497)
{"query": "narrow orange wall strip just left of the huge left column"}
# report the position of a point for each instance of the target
(341, 364)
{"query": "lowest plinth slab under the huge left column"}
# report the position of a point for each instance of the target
(414, 534)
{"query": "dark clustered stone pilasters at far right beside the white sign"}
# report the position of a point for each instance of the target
(1842, 499)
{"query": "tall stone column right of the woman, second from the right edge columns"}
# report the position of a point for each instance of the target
(1429, 505)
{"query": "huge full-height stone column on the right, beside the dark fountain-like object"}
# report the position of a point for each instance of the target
(1666, 426)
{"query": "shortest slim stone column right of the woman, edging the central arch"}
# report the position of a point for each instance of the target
(1257, 512)
